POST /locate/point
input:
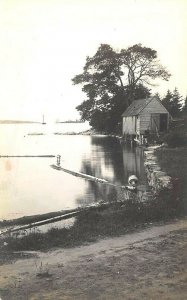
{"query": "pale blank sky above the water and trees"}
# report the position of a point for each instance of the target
(44, 44)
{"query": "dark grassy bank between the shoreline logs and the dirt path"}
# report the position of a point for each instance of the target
(89, 226)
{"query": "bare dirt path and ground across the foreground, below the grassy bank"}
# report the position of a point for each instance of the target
(150, 264)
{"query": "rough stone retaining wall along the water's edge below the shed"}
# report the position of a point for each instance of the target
(157, 179)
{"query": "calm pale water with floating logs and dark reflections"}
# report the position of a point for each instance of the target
(29, 186)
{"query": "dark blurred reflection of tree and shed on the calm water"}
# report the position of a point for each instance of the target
(113, 162)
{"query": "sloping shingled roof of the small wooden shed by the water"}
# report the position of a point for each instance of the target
(136, 107)
